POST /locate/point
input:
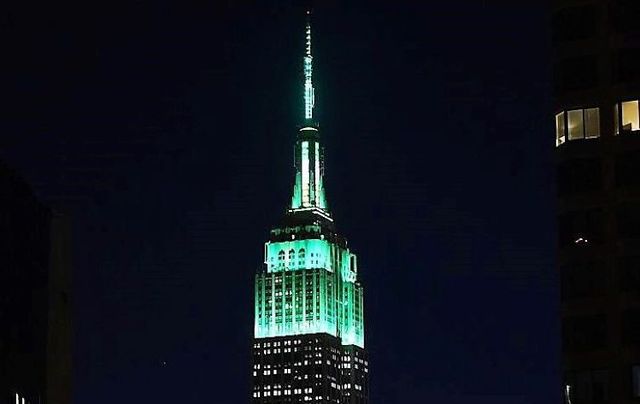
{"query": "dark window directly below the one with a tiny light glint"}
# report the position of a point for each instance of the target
(582, 279)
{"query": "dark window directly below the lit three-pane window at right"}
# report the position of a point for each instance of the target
(579, 176)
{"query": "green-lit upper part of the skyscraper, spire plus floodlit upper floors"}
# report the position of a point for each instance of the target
(310, 283)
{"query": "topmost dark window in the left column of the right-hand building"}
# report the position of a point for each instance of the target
(574, 23)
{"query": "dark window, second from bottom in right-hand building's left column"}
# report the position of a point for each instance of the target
(584, 333)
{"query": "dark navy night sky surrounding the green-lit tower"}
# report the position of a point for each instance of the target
(167, 130)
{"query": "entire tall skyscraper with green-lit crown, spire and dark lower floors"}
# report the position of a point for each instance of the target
(309, 324)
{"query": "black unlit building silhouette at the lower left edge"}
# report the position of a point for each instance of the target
(35, 317)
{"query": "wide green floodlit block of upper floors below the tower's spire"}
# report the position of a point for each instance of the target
(301, 291)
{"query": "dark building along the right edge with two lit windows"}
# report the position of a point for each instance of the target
(596, 55)
